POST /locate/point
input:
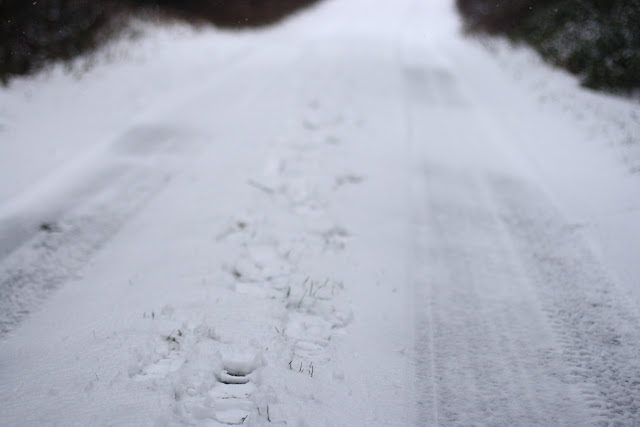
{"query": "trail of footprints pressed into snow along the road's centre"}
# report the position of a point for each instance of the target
(210, 389)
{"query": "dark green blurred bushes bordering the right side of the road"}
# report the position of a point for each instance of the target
(599, 40)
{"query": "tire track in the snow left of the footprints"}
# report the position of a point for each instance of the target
(114, 183)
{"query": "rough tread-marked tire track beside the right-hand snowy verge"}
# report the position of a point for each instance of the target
(594, 322)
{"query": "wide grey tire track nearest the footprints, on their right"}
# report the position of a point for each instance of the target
(493, 358)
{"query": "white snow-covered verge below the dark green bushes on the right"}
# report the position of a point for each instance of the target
(587, 153)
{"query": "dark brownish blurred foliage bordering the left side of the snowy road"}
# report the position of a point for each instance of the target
(35, 32)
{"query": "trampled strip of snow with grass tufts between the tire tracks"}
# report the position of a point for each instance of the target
(235, 374)
